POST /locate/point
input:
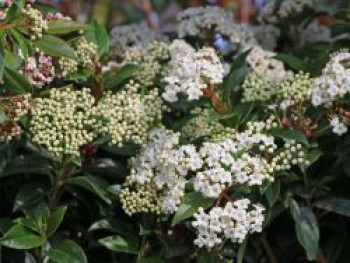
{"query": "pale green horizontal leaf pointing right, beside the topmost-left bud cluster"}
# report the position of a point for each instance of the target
(62, 26)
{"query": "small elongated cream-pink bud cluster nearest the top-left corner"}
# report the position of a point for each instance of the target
(35, 22)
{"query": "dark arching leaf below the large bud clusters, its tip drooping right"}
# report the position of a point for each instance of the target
(93, 184)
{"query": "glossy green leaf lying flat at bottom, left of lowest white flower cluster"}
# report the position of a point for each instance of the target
(120, 244)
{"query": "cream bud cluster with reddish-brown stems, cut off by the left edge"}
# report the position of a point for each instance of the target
(13, 109)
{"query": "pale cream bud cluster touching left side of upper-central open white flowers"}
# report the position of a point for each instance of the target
(150, 59)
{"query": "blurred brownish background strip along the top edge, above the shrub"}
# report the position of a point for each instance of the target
(160, 14)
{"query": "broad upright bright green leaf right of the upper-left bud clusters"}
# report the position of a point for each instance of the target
(97, 33)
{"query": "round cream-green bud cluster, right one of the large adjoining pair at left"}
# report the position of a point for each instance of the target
(127, 116)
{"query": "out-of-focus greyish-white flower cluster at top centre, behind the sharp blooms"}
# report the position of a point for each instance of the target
(206, 21)
